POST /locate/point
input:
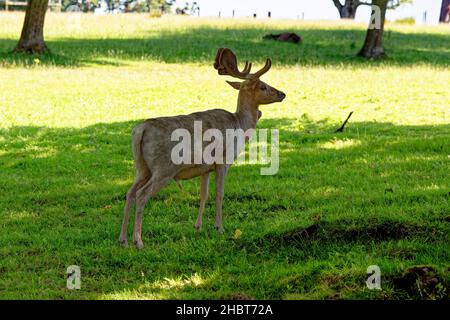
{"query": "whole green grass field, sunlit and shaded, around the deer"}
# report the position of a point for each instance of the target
(377, 194)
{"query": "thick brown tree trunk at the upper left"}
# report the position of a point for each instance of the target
(32, 37)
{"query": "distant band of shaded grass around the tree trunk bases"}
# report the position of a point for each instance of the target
(321, 47)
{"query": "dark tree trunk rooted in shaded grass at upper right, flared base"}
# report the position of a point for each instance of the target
(373, 44)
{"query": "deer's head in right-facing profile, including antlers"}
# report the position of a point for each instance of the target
(252, 88)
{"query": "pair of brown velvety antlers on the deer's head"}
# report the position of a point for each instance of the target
(226, 64)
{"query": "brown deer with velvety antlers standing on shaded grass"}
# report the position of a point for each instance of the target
(152, 144)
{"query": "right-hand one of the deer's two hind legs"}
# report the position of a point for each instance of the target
(152, 186)
